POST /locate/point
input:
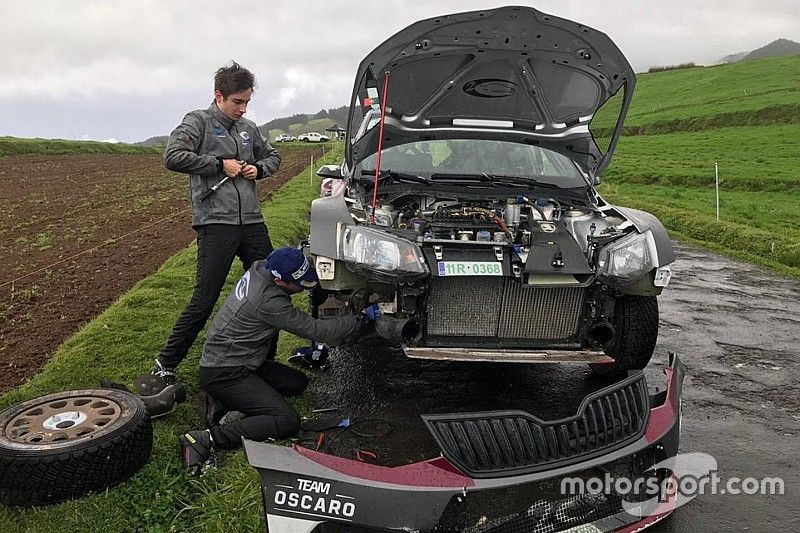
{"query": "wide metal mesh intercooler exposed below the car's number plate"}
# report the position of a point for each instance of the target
(503, 308)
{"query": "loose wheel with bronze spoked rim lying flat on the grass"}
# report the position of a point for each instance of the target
(65, 445)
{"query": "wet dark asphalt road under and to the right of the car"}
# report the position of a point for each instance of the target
(735, 326)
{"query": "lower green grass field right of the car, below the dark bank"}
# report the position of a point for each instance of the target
(672, 176)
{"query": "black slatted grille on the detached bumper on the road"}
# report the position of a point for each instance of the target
(505, 443)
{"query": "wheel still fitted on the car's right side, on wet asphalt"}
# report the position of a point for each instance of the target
(636, 326)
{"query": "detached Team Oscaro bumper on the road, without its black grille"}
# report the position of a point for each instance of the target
(305, 491)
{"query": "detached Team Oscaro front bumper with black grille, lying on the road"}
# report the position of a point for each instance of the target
(499, 472)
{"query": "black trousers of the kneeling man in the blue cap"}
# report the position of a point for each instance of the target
(259, 396)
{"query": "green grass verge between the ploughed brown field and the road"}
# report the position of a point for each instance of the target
(120, 344)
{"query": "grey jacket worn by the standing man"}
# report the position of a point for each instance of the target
(198, 146)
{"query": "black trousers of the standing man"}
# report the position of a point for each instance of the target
(217, 246)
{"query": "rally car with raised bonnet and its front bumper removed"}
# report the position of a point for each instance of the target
(477, 227)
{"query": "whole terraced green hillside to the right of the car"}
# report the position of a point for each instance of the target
(743, 116)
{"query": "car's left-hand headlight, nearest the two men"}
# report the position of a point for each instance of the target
(382, 252)
